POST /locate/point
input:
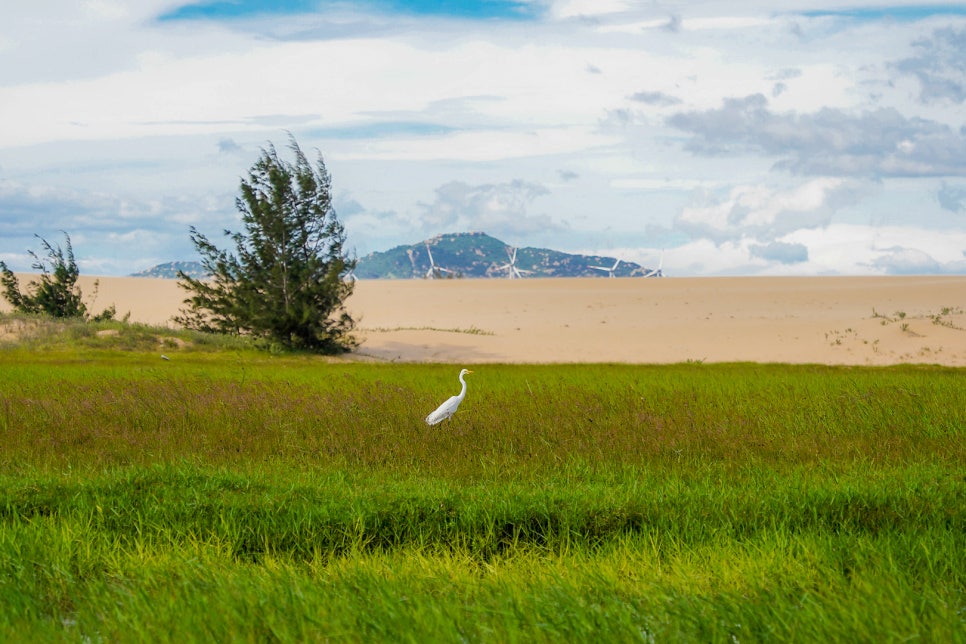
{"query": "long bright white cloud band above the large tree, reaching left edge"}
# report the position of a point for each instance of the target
(172, 96)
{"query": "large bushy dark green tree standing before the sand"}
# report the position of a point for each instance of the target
(286, 279)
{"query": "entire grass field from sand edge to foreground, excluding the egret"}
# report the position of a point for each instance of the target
(230, 495)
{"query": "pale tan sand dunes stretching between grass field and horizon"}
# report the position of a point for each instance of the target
(827, 320)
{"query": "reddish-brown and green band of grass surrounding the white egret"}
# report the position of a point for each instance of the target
(516, 422)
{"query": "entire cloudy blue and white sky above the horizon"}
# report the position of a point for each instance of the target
(779, 137)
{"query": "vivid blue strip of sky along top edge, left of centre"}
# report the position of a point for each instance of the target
(232, 9)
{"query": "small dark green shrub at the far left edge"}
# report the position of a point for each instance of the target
(57, 293)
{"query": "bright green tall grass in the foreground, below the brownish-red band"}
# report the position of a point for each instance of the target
(185, 552)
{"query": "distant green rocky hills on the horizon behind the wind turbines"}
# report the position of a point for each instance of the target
(458, 255)
